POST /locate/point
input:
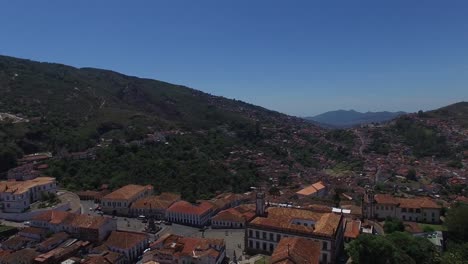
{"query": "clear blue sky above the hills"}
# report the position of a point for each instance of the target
(297, 57)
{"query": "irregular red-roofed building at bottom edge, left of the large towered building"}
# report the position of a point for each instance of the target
(171, 249)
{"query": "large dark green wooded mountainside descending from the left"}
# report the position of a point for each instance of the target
(213, 143)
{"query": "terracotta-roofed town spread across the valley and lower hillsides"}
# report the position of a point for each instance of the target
(309, 220)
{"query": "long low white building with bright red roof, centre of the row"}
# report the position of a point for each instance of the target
(190, 214)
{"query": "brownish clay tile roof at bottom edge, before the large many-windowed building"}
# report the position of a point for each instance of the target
(296, 250)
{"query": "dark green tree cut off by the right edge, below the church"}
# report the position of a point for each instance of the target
(456, 223)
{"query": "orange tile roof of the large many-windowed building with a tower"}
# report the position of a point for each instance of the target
(326, 224)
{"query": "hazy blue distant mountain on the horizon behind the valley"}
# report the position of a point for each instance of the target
(349, 118)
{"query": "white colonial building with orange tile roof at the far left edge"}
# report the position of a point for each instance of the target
(17, 196)
